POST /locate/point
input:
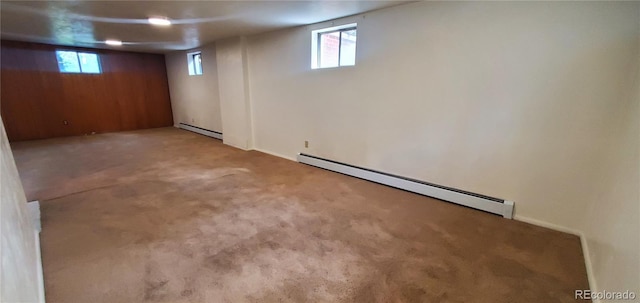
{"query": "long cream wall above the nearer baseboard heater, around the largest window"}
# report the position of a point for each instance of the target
(509, 99)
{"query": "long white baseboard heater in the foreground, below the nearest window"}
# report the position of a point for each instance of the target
(472, 200)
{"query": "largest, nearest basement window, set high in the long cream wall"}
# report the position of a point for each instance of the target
(334, 46)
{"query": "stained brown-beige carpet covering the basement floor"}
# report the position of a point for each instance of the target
(165, 215)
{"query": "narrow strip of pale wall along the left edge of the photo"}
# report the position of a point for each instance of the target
(19, 272)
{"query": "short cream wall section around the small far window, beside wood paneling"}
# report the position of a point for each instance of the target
(194, 99)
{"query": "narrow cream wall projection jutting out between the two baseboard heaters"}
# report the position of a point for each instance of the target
(233, 83)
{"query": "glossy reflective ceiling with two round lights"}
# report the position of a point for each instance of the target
(89, 23)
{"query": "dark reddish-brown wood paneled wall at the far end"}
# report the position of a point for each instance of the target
(36, 99)
